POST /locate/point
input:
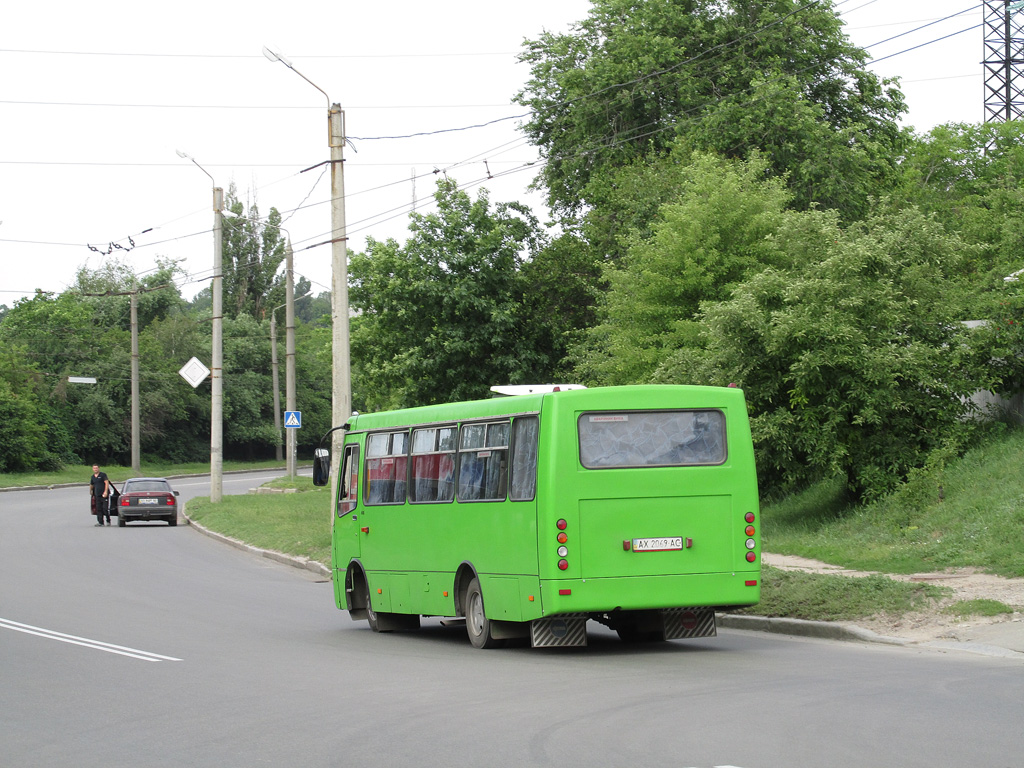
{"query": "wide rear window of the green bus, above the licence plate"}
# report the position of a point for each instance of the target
(652, 439)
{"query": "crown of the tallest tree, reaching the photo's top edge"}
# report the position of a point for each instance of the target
(732, 76)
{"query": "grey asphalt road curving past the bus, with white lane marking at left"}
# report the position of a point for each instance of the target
(180, 651)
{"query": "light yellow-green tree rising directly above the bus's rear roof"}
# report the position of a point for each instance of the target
(720, 230)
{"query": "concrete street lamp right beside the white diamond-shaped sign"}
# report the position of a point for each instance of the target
(218, 353)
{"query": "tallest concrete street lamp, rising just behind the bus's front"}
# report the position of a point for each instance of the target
(342, 372)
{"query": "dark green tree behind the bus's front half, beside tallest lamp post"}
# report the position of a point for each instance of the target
(441, 319)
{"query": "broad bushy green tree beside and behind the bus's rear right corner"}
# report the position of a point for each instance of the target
(856, 363)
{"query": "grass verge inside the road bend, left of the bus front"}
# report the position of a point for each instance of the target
(294, 524)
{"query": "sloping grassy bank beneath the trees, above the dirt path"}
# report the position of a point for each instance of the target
(971, 514)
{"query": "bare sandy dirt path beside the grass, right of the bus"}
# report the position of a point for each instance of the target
(967, 584)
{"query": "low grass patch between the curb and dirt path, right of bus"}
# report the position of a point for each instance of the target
(836, 599)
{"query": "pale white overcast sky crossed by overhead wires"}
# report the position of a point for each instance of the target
(97, 99)
